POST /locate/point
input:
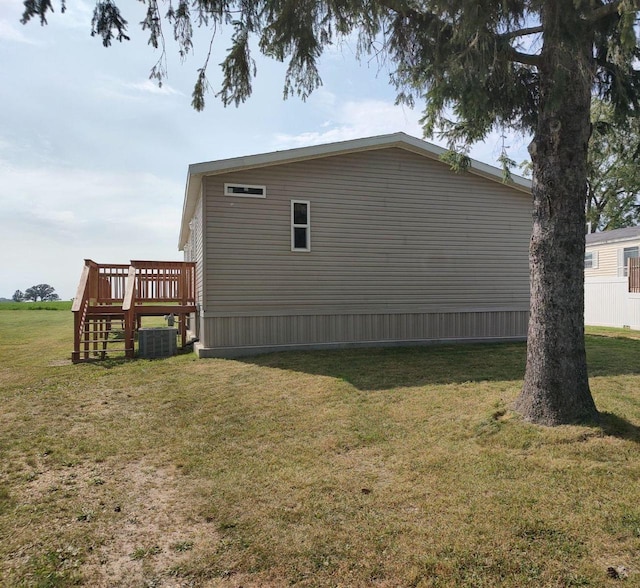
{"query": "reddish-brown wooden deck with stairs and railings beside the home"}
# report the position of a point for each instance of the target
(112, 299)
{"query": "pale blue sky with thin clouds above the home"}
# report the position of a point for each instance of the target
(94, 155)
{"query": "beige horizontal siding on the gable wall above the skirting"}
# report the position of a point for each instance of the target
(391, 232)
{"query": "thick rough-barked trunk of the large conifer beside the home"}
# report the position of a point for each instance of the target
(556, 386)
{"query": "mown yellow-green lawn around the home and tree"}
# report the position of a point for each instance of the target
(377, 467)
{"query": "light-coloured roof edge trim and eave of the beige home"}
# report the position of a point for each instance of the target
(400, 140)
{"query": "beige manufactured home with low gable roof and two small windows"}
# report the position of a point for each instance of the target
(373, 241)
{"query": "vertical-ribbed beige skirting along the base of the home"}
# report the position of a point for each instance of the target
(238, 336)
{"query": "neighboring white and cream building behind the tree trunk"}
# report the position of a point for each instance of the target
(610, 299)
